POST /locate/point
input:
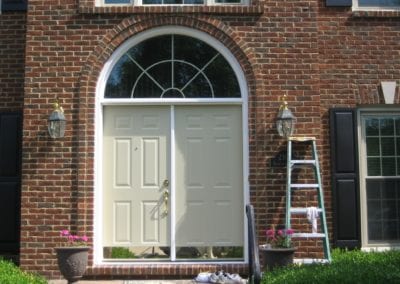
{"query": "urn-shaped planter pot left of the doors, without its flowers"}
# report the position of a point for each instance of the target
(72, 262)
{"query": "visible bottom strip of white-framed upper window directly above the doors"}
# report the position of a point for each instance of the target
(172, 2)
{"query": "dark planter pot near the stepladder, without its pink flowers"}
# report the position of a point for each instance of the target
(276, 257)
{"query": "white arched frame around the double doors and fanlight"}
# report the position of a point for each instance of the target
(101, 102)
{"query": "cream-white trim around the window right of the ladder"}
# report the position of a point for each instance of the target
(362, 112)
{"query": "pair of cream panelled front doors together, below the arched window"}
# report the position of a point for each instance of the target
(173, 176)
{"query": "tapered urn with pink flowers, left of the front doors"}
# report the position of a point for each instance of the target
(73, 256)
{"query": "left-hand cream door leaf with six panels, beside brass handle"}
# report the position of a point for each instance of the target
(135, 147)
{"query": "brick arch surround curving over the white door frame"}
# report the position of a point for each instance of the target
(95, 63)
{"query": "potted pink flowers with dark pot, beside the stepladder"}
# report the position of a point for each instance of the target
(279, 250)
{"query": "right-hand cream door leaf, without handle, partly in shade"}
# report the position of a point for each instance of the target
(209, 183)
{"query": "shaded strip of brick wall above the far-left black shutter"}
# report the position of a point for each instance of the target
(12, 49)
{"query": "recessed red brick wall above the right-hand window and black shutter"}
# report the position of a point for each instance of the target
(357, 51)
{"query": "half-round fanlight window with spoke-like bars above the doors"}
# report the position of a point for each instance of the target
(172, 66)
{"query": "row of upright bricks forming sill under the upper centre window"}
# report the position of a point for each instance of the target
(225, 9)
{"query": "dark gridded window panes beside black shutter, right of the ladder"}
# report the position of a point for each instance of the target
(381, 137)
